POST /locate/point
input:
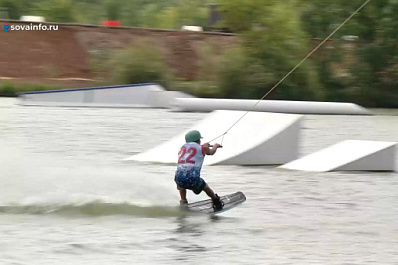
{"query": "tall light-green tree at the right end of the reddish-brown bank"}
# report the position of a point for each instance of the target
(274, 44)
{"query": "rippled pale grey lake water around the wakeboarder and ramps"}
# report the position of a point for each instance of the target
(68, 197)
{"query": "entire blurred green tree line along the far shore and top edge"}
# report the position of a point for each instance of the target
(360, 63)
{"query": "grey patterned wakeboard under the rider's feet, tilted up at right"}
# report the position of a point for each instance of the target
(206, 206)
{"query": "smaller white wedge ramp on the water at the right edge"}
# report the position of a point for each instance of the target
(348, 156)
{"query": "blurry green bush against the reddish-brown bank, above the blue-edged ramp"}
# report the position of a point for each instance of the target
(140, 62)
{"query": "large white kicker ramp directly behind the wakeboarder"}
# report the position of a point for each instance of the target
(257, 139)
